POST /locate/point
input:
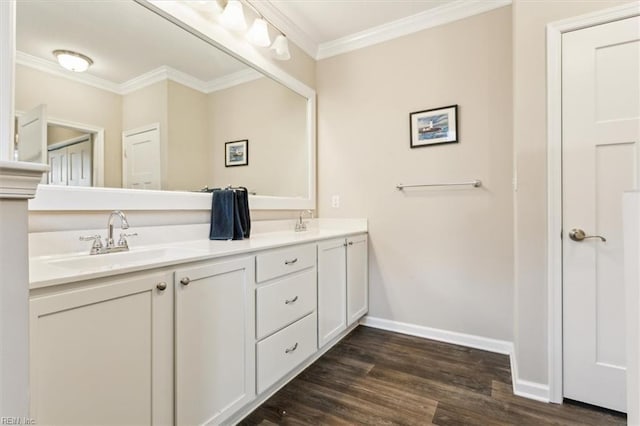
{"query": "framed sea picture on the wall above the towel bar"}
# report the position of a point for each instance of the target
(434, 126)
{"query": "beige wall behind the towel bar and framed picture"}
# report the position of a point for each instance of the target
(439, 258)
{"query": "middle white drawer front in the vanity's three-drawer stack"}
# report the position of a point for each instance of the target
(285, 301)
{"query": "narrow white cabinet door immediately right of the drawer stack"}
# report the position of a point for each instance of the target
(332, 290)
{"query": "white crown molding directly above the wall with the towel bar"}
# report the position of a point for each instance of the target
(440, 15)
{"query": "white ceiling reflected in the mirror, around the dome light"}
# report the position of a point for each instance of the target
(114, 34)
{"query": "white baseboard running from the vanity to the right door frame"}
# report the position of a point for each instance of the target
(523, 388)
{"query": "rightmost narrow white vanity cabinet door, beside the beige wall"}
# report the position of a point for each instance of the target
(357, 278)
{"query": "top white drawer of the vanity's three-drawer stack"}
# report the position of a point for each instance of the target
(276, 263)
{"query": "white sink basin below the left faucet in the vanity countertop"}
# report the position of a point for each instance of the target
(122, 259)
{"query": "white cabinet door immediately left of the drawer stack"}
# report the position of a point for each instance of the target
(215, 351)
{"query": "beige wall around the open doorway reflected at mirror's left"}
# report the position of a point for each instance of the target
(72, 101)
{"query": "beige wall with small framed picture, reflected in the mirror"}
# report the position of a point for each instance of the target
(273, 119)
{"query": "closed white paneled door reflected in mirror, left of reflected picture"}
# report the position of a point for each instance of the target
(141, 158)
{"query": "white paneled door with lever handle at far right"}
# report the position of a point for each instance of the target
(601, 131)
